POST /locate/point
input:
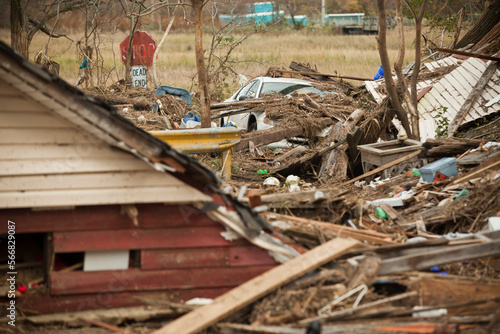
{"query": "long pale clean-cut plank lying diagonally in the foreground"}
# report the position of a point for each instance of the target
(256, 288)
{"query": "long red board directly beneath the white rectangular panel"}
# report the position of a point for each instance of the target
(138, 280)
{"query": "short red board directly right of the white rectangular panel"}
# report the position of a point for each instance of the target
(233, 256)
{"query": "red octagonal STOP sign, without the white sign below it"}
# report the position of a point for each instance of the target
(143, 48)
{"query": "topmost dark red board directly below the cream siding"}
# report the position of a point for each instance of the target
(103, 217)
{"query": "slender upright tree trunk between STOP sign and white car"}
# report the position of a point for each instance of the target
(200, 65)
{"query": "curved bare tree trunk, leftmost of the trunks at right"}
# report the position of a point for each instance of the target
(384, 57)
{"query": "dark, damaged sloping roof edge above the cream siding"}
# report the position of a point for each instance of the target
(97, 118)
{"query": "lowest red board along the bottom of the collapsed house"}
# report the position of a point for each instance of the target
(44, 304)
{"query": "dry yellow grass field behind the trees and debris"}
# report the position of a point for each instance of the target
(333, 54)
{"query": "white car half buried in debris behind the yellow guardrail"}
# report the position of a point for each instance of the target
(256, 120)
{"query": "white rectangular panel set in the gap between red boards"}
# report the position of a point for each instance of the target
(106, 260)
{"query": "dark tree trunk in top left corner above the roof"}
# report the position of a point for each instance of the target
(19, 27)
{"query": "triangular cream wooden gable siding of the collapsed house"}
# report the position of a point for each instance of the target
(46, 160)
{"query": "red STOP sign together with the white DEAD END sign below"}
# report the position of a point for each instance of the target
(143, 48)
